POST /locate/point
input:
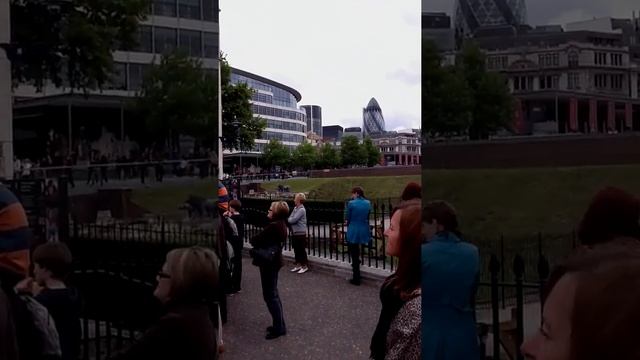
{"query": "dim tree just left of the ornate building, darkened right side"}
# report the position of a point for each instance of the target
(493, 104)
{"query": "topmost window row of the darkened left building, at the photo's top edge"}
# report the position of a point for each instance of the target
(206, 10)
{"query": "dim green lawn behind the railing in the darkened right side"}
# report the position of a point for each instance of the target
(523, 202)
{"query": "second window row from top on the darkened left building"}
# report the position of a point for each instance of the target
(162, 40)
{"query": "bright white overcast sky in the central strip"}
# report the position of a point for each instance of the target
(336, 53)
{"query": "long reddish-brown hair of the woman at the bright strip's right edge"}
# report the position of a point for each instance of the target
(410, 236)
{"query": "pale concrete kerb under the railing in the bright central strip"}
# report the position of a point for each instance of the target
(370, 276)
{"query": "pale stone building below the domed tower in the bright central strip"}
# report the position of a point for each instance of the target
(400, 148)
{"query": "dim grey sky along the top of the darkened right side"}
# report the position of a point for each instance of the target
(557, 12)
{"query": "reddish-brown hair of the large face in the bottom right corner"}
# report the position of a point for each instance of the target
(605, 311)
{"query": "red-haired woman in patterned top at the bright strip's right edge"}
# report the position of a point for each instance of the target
(397, 335)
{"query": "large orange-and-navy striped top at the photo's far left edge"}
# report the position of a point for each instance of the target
(15, 235)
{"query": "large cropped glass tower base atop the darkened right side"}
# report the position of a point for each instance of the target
(473, 14)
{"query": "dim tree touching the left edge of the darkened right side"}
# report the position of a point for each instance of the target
(446, 98)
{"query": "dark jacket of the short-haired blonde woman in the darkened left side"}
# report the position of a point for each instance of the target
(185, 332)
